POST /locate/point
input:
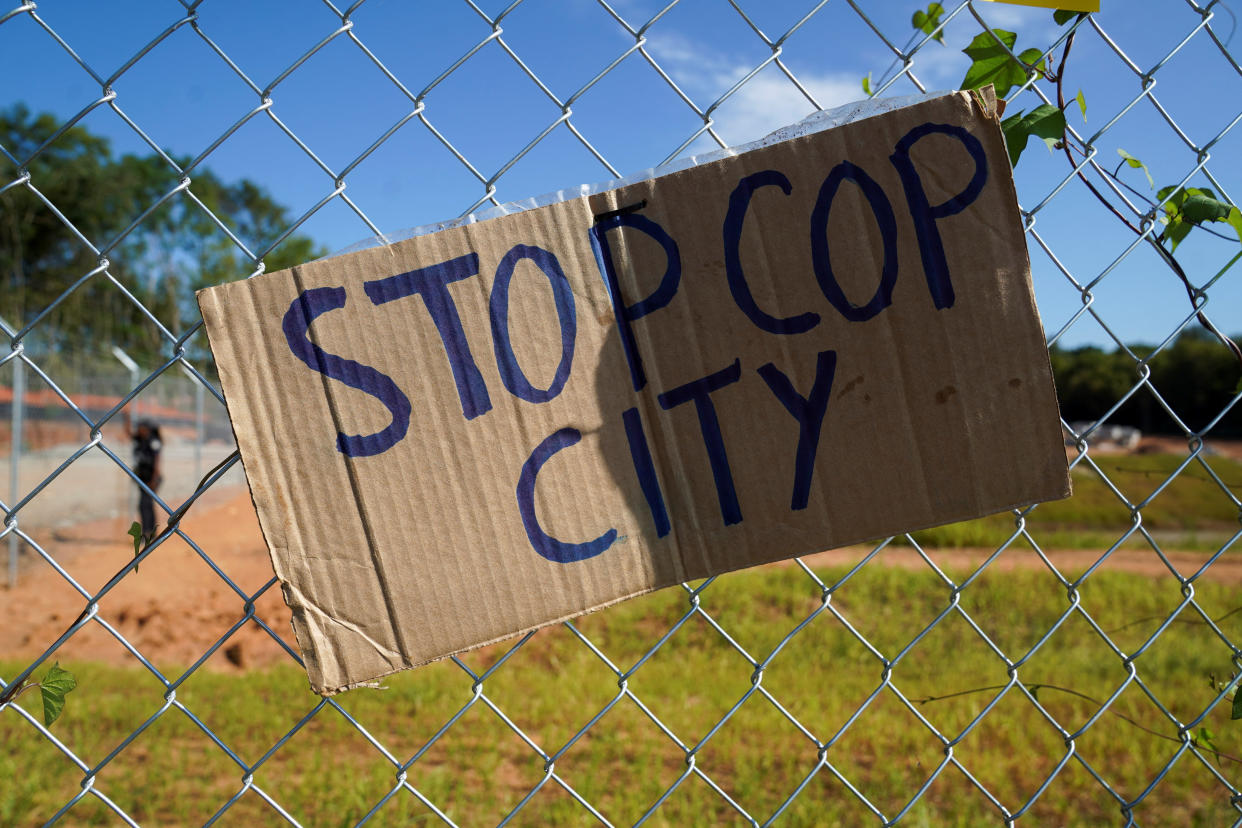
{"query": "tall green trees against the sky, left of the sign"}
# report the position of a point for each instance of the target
(171, 254)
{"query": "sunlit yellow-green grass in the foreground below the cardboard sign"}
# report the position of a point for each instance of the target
(329, 775)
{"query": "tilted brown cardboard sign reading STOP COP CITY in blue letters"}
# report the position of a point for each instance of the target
(485, 430)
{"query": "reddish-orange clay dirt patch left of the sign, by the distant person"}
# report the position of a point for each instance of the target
(173, 610)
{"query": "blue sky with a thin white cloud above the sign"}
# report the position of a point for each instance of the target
(184, 96)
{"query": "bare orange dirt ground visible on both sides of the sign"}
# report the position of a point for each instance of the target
(177, 608)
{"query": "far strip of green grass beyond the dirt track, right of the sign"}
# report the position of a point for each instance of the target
(1192, 513)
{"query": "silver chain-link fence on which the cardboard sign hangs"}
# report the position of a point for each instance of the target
(1048, 667)
